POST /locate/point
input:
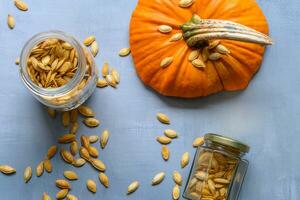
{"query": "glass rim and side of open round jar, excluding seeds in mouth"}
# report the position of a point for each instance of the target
(77, 90)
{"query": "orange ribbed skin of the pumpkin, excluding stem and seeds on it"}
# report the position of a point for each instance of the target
(181, 78)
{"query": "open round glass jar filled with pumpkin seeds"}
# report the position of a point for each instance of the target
(73, 91)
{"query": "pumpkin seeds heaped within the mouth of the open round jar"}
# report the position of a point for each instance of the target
(52, 63)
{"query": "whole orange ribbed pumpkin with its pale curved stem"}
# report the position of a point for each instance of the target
(164, 65)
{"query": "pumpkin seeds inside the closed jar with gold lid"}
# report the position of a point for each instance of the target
(212, 176)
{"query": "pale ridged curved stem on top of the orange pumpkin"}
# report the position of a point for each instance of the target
(197, 32)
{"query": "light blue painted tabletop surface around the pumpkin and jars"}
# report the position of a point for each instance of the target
(266, 115)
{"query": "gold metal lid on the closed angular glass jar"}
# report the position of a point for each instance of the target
(227, 141)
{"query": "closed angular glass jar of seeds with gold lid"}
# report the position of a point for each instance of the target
(218, 169)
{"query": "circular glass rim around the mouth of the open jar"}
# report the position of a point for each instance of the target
(78, 76)
